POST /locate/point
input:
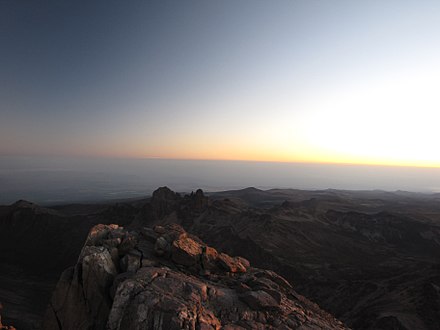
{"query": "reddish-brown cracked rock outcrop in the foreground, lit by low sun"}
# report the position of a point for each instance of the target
(165, 278)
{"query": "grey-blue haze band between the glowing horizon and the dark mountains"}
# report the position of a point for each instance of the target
(52, 180)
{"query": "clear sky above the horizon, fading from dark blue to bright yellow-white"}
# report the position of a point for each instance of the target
(325, 81)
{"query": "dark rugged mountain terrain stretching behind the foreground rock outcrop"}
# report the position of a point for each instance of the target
(370, 258)
